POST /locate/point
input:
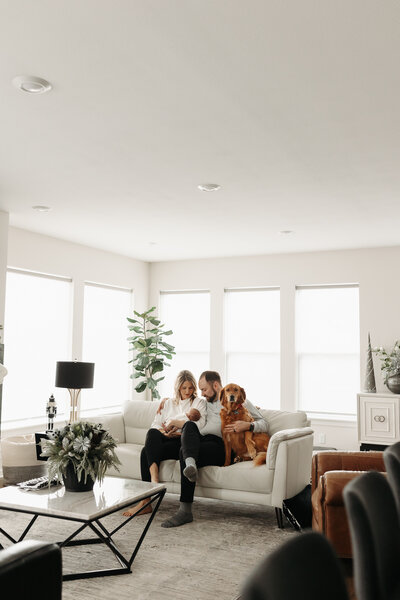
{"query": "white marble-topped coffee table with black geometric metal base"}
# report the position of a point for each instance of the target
(87, 509)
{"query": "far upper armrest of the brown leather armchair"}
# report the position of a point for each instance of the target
(345, 461)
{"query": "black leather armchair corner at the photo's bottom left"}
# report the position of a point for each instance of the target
(32, 569)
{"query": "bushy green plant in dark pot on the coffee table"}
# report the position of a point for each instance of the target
(80, 453)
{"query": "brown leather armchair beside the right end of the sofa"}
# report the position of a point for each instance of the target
(331, 471)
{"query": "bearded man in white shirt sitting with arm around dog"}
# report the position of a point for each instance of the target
(204, 448)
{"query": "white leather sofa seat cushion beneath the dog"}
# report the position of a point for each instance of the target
(243, 476)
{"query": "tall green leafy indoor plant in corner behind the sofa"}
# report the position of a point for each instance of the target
(151, 350)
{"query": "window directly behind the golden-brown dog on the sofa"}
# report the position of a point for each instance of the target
(252, 344)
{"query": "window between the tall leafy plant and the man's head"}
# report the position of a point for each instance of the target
(188, 315)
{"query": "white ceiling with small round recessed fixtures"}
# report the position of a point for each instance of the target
(292, 106)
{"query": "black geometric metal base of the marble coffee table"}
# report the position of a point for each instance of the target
(103, 537)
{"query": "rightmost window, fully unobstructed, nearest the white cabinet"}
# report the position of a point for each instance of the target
(327, 349)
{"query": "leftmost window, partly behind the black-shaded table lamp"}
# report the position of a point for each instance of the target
(37, 335)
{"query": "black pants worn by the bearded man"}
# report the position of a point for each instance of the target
(206, 450)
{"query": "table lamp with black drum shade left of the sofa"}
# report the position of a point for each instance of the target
(74, 376)
